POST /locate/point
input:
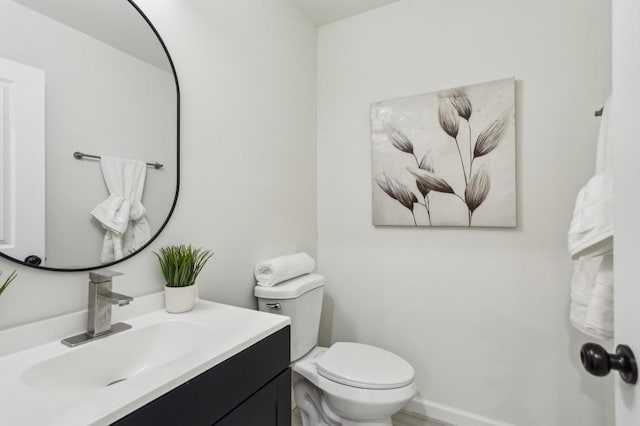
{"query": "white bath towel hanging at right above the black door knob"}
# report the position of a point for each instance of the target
(591, 245)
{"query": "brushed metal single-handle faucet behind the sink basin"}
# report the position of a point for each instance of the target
(101, 298)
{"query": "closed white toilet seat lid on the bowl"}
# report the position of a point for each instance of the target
(364, 366)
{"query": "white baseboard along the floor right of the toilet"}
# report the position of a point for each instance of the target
(450, 415)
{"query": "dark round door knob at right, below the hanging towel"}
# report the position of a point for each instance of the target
(598, 362)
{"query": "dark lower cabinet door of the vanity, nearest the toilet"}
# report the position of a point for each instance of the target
(270, 406)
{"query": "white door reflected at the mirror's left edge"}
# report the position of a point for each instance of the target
(22, 152)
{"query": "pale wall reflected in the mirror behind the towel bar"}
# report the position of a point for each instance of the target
(101, 101)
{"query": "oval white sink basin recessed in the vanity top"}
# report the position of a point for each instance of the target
(116, 358)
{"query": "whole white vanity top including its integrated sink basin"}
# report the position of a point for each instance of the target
(56, 385)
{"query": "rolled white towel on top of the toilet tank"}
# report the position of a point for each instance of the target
(274, 271)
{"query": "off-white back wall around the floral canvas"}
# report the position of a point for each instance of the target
(482, 314)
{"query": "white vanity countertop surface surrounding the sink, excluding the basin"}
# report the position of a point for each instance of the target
(233, 329)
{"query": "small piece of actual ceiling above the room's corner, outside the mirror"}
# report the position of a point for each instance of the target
(324, 12)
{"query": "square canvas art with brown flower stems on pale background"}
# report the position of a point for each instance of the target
(446, 158)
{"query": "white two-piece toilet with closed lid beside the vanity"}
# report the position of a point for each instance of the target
(347, 384)
